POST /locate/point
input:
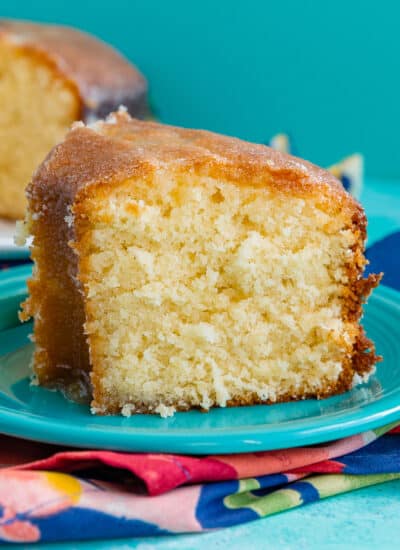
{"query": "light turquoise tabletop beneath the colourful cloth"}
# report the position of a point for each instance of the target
(367, 518)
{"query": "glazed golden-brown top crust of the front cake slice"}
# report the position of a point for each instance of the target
(109, 152)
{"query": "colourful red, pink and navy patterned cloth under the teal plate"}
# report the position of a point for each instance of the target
(49, 493)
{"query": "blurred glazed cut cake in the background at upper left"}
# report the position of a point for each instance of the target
(51, 76)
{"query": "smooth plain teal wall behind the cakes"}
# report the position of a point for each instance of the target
(326, 72)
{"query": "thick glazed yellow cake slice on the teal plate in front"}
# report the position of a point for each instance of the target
(178, 268)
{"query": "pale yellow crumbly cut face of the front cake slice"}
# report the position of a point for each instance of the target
(205, 293)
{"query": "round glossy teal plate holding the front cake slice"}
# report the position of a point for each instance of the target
(43, 415)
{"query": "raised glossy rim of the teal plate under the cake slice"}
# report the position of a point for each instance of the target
(234, 439)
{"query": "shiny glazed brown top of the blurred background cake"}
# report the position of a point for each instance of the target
(100, 73)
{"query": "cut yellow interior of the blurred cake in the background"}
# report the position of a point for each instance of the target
(37, 107)
